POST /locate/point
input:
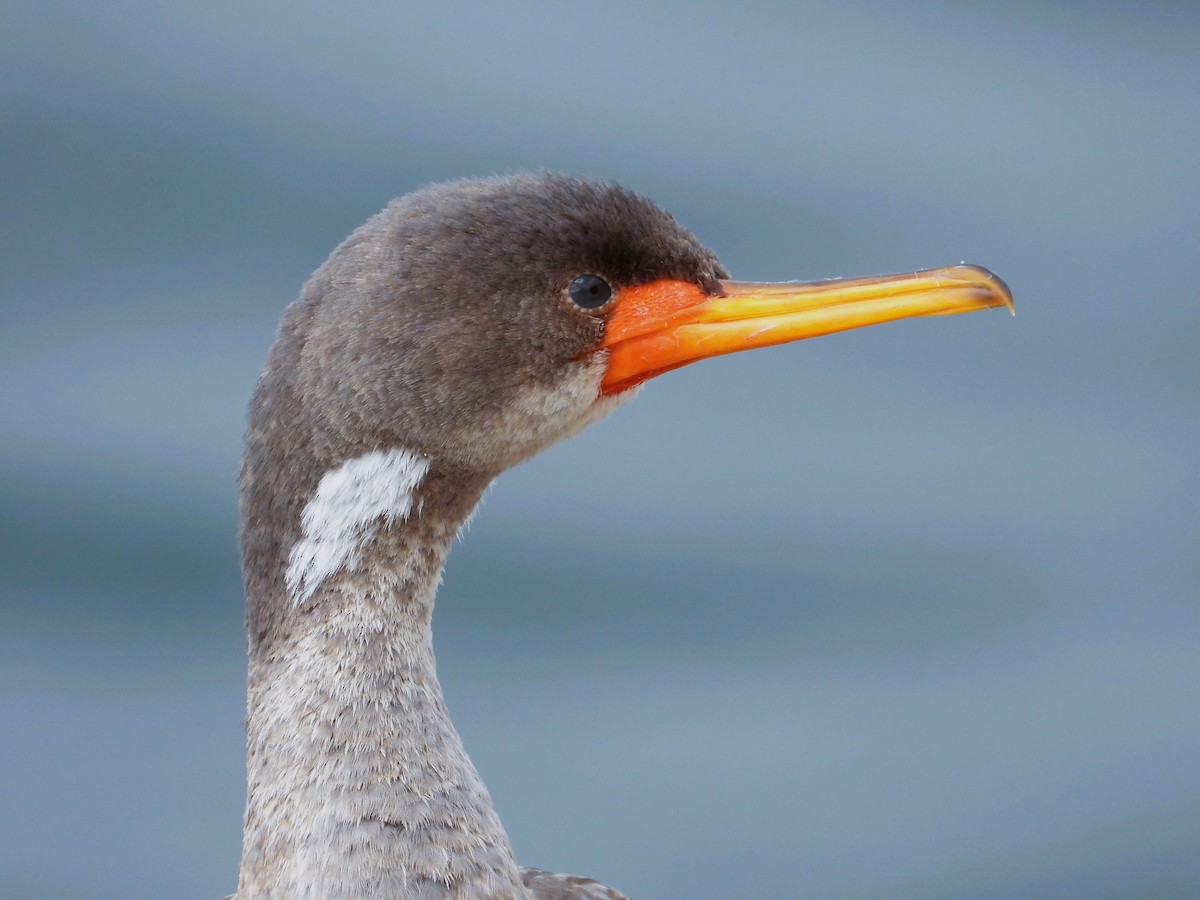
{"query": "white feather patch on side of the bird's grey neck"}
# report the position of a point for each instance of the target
(346, 513)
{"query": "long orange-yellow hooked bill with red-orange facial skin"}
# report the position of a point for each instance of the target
(667, 325)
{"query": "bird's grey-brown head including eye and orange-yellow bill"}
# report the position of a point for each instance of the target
(481, 321)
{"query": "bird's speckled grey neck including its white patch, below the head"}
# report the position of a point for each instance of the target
(358, 784)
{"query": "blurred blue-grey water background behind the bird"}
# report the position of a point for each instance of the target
(908, 613)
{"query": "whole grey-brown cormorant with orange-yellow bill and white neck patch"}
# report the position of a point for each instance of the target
(458, 333)
